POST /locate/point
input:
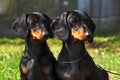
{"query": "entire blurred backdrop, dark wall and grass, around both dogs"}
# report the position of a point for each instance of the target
(105, 49)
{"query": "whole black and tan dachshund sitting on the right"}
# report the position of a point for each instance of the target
(74, 62)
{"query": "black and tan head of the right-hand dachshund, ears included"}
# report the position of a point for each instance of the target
(76, 24)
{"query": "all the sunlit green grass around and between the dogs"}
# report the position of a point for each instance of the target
(105, 51)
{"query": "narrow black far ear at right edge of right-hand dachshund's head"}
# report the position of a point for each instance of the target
(91, 27)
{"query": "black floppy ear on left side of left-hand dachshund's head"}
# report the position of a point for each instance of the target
(20, 28)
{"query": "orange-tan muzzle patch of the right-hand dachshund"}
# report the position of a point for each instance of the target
(79, 34)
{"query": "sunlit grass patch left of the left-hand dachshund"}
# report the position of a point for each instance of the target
(10, 54)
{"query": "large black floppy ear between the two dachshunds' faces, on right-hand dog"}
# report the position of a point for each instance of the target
(60, 28)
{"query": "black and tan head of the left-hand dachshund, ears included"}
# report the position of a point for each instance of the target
(35, 25)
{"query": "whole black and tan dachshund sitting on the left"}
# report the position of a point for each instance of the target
(37, 61)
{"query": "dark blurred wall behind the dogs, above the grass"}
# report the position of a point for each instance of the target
(105, 13)
